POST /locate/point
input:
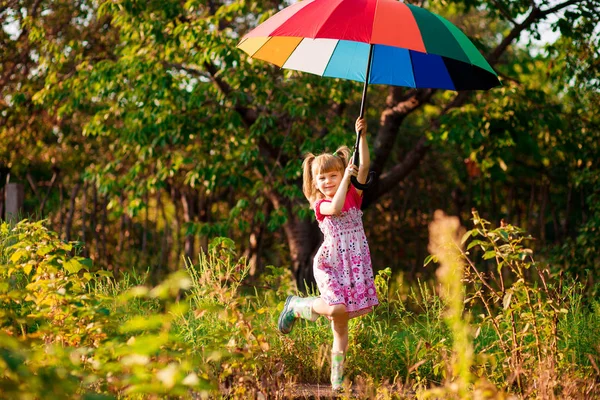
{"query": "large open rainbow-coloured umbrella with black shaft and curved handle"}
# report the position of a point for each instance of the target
(371, 41)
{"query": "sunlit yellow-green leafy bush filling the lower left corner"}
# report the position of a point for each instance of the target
(62, 336)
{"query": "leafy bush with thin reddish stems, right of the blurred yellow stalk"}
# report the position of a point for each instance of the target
(524, 305)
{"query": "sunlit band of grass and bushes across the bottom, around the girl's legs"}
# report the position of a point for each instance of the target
(496, 323)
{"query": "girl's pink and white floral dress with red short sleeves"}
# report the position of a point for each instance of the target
(342, 265)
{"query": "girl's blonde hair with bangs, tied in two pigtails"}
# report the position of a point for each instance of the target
(315, 165)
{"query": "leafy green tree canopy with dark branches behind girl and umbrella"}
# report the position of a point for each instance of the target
(174, 118)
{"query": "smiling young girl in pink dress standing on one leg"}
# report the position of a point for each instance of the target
(342, 266)
